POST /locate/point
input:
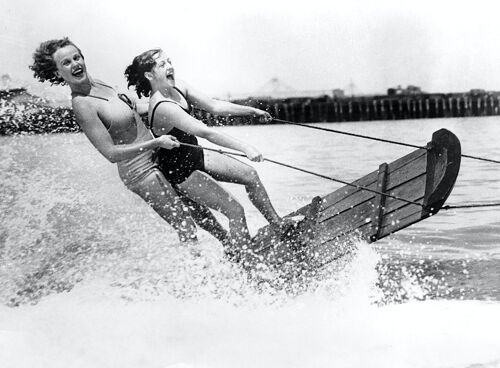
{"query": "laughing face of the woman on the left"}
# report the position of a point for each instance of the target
(70, 65)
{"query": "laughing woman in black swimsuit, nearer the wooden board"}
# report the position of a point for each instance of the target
(188, 168)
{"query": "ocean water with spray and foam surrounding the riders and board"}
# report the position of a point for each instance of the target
(90, 276)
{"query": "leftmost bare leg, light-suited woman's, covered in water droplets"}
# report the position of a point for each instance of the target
(160, 195)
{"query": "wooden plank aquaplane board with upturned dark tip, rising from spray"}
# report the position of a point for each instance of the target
(425, 177)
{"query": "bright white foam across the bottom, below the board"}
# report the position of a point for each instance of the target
(336, 324)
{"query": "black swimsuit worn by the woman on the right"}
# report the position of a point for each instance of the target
(178, 163)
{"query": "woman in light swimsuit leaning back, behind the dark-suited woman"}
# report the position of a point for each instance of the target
(118, 133)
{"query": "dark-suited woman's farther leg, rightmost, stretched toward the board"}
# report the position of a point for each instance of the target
(224, 168)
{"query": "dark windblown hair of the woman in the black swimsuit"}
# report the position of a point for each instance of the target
(135, 72)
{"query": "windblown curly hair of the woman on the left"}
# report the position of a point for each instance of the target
(44, 67)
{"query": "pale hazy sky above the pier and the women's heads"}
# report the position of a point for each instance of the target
(229, 48)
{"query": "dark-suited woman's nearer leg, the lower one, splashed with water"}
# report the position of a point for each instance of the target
(203, 189)
